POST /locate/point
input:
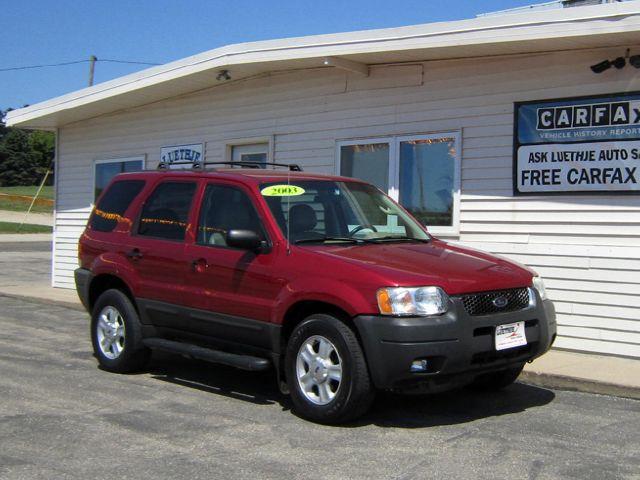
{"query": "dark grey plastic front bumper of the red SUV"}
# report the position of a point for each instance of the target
(457, 346)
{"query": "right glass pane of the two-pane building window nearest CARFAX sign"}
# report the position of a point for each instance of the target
(427, 170)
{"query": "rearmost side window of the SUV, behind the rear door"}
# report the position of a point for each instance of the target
(113, 204)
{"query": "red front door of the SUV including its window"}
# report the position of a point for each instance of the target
(235, 289)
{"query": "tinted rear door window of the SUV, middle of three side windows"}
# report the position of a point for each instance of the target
(166, 211)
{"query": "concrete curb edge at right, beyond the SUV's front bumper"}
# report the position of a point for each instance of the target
(563, 382)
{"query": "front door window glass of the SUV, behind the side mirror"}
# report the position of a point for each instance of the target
(226, 208)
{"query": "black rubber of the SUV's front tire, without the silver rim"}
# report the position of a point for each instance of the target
(355, 392)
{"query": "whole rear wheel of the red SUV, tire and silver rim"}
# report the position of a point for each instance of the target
(116, 334)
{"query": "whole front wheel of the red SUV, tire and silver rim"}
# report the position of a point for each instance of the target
(327, 372)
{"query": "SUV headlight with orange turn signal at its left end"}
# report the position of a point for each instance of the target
(412, 301)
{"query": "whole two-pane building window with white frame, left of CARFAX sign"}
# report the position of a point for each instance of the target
(422, 172)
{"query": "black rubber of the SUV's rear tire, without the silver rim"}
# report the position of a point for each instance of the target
(134, 355)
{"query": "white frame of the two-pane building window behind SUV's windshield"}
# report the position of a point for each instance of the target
(394, 169)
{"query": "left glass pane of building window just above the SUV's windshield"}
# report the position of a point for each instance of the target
(369, 162)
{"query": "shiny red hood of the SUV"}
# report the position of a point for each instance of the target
(455, 269)
